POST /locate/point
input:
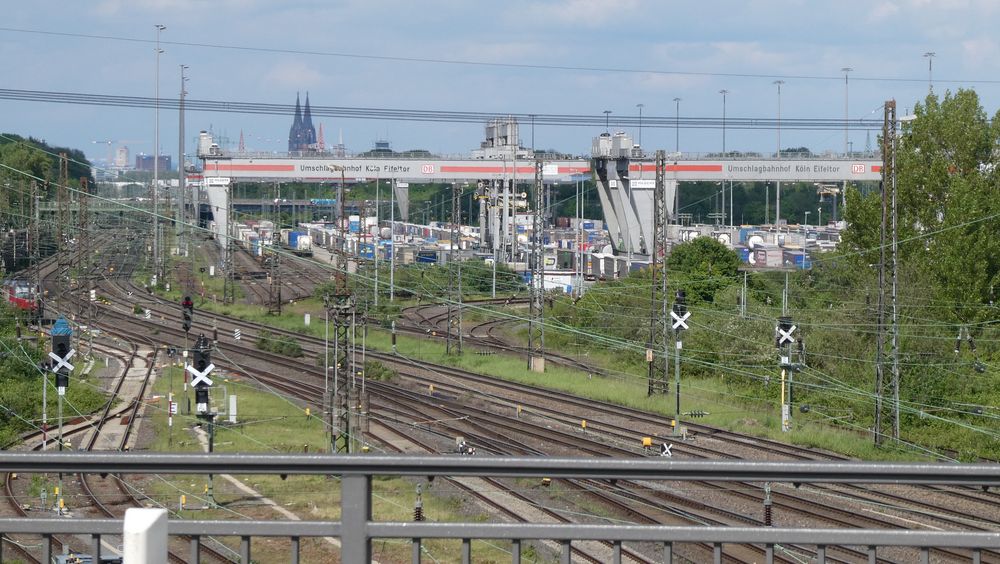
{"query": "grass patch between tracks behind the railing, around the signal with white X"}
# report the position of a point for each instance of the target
(268, 423)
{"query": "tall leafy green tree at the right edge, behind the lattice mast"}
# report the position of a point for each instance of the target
(948, 215)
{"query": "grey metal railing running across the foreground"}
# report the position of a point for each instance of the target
(356, 529)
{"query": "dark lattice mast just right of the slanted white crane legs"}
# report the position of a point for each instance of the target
(658, 317)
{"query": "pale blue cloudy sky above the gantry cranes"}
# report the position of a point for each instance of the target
(883, 40)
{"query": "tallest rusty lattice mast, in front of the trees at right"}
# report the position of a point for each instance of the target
(887, 417)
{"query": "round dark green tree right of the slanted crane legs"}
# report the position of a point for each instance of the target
(702, 267)
